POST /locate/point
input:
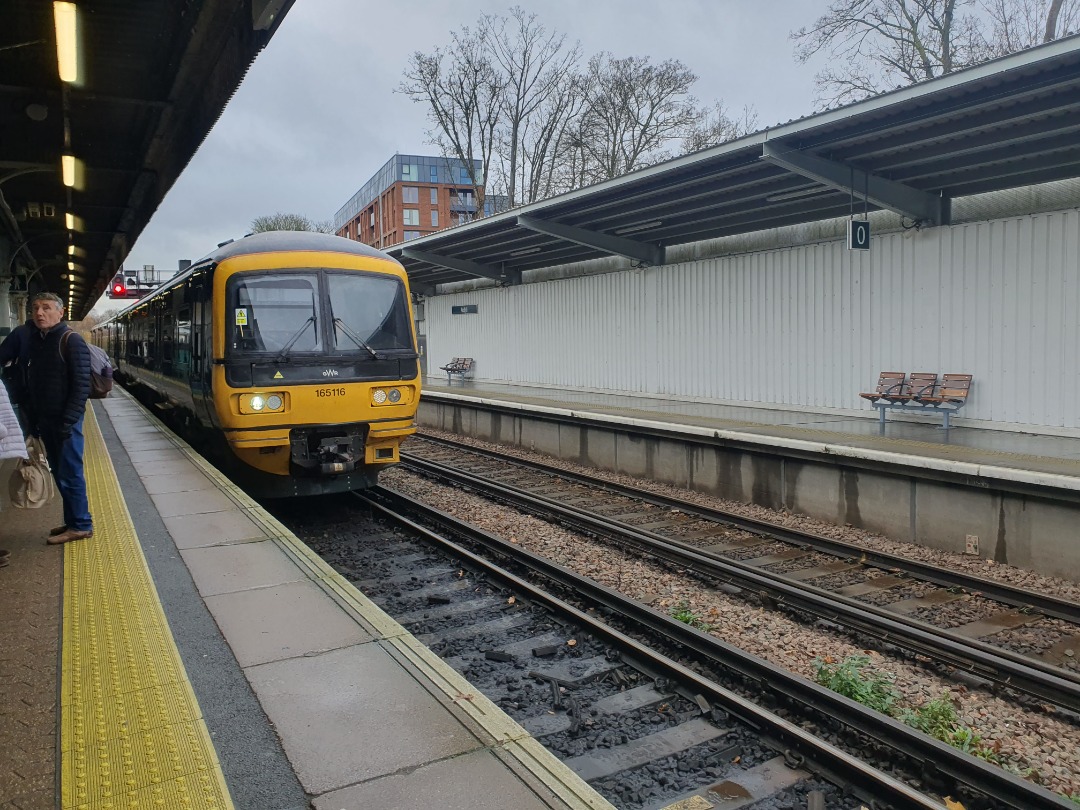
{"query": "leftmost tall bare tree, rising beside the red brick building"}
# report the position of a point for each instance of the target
(464, 93)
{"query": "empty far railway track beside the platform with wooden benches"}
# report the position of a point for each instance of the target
(727, 549)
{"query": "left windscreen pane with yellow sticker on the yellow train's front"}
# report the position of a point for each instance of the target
(274, 314)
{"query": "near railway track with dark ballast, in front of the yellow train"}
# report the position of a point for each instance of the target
(647, 709)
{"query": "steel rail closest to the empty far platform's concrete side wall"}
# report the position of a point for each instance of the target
(1050, 606)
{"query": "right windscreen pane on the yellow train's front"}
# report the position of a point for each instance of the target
(371, 308)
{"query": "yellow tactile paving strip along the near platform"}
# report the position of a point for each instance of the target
(132, 735)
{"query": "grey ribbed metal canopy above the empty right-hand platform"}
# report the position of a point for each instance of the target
(1011, 123)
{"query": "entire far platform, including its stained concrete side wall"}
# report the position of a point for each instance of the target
(1007, 497)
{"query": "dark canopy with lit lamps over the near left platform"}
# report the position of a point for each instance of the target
(152, 78)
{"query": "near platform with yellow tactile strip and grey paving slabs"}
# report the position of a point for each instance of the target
(195, 655)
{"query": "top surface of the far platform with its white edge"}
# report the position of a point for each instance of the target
(1031, 458)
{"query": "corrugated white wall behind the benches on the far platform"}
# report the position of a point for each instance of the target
(807, 327)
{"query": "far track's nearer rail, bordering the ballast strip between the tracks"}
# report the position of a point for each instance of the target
(977, 658)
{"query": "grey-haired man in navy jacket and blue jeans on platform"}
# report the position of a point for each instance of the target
(53, 386)
